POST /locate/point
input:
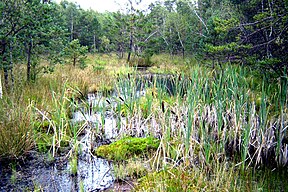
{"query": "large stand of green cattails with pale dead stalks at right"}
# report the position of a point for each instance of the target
(213, 116)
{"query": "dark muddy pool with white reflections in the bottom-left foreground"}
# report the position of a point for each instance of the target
(41, 172)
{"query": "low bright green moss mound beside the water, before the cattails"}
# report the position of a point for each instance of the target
(126, 148)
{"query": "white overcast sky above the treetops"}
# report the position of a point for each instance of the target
(105, 5)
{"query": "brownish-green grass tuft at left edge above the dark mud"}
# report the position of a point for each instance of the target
(16, 128)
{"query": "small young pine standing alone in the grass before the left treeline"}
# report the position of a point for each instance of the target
(76, 52)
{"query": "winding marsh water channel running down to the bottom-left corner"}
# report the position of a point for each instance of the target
(39, 171)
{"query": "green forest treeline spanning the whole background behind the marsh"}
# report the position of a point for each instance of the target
(246, 32)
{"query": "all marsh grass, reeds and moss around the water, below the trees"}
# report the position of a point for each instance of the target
(216, 129)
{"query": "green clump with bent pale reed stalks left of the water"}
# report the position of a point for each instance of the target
(55, 131)
